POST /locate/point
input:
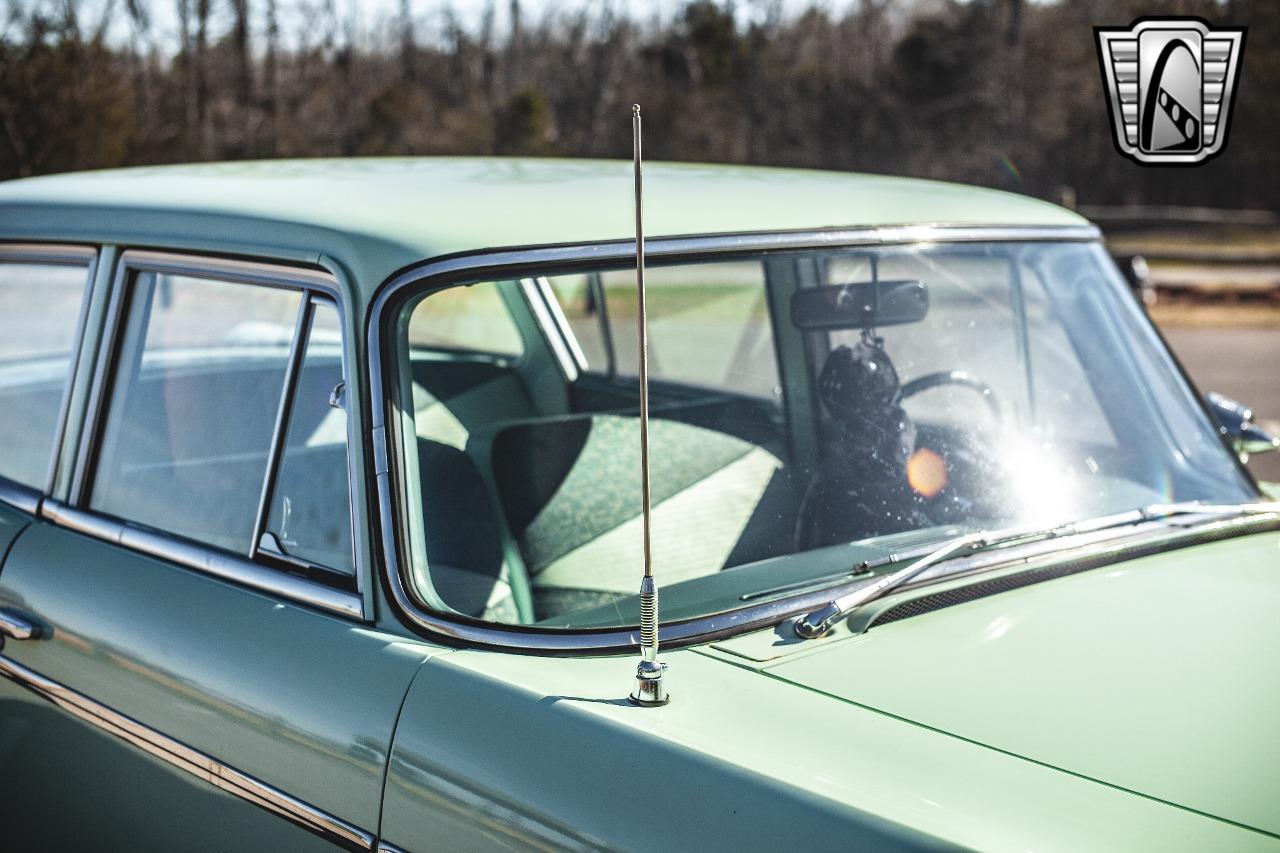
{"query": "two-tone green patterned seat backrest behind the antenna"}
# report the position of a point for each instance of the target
(570, 491)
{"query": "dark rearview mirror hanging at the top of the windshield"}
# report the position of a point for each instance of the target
(860, 305)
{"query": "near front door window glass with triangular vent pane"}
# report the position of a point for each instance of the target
(195, 408)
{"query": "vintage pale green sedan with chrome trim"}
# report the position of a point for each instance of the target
(322, 527)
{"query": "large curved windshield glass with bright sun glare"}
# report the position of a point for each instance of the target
(811, 410)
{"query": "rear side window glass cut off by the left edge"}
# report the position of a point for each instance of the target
(40, 307)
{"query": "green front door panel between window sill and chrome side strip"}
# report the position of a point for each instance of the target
(299, 700)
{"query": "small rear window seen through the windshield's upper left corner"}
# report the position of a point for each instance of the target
(470, 320)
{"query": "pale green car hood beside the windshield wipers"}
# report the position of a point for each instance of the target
(1160, 676)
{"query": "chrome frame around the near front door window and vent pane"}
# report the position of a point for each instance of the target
(326, 590)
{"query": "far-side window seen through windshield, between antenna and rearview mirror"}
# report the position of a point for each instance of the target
(708, 325)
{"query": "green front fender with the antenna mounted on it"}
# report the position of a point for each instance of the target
(524, 752)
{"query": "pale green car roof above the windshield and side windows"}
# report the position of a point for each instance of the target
(376, 216)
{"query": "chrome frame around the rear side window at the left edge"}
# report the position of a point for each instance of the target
(20, 495)
